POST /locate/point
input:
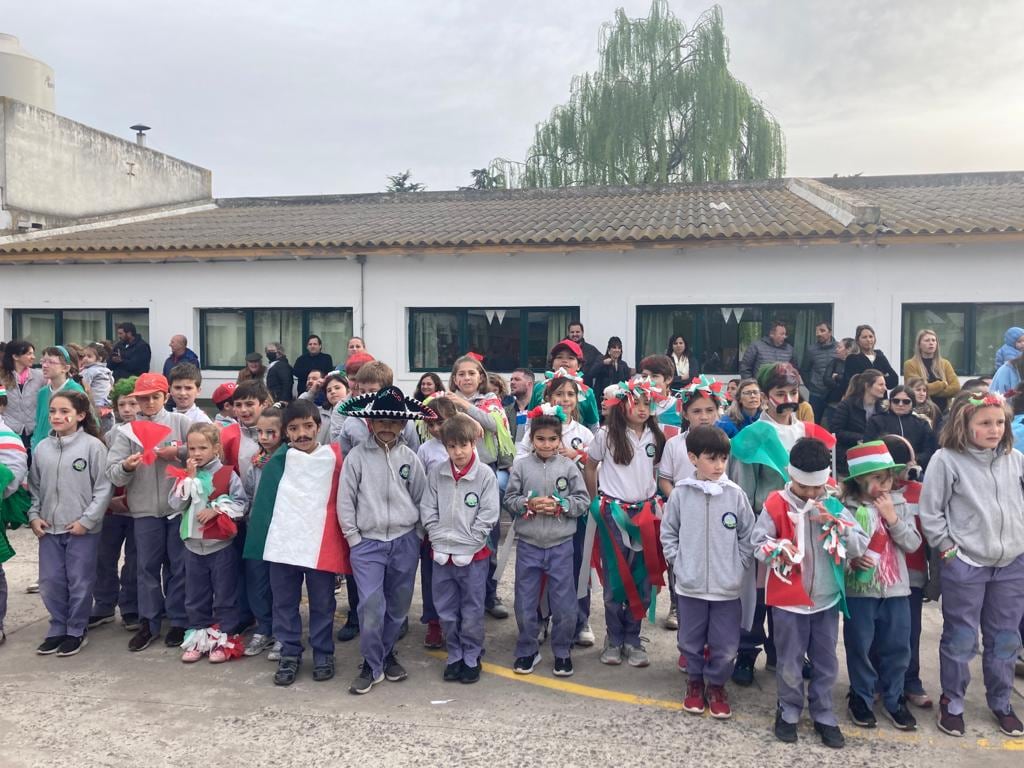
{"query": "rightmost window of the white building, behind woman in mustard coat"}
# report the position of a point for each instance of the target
(969, 334)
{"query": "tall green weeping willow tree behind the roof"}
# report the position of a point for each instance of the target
(661, 108)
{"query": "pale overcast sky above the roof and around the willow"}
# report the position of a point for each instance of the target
(316, 97)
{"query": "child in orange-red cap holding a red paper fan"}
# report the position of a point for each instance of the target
(141, 453)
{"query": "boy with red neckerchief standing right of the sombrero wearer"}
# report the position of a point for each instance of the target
(459, 509)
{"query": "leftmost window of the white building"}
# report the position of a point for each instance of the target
(46, 328)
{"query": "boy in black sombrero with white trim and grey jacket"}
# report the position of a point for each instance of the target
(379, 508)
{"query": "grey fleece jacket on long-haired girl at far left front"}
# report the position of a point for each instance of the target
(68, 483)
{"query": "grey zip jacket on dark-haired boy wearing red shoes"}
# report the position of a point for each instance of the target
(706, 538)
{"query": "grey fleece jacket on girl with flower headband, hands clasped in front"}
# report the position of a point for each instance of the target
(557, 477)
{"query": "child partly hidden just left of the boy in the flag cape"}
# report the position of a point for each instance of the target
(270, 430)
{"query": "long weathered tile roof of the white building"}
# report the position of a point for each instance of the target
(756, 212)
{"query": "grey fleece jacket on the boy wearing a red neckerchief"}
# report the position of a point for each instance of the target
(460, 515)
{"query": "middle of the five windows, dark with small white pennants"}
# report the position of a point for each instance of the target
(507, 337)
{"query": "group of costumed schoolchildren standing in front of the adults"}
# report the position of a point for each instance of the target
(223, 524)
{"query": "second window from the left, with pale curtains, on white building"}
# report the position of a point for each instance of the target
(228, 335)
